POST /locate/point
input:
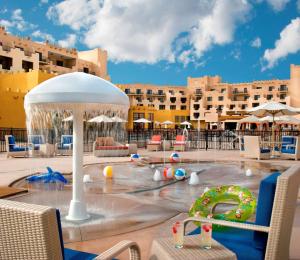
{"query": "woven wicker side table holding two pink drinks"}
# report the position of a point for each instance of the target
(163, 249)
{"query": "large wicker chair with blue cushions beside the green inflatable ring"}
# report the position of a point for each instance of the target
(269, 237)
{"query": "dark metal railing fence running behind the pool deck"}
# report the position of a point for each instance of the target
(203, 139)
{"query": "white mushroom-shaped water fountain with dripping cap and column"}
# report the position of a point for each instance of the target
(78, 93)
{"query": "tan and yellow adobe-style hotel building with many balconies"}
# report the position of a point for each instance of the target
(207, 100)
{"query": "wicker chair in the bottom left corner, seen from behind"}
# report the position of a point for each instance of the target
(34, 232)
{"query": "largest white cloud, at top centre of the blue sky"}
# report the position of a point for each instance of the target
(147, 31)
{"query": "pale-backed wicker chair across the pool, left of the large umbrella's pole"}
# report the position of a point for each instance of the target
(253, 148)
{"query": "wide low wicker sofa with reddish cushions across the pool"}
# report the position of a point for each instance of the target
(107, 147)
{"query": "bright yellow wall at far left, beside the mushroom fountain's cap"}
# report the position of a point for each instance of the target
(13, 88)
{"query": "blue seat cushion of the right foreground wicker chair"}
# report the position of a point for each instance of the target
(239, 241)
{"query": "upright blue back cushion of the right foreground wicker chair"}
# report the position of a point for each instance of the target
(264, 208)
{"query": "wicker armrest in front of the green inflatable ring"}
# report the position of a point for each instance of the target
(225, 223)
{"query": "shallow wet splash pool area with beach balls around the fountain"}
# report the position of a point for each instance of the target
(132, 200)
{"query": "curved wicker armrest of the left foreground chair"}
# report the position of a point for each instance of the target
(134, 251)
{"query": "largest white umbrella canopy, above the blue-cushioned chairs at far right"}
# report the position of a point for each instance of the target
(272, 109)
